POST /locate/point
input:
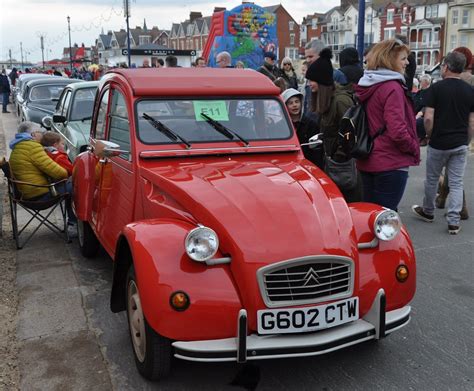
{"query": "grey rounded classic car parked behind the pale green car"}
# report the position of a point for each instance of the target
(41, 97)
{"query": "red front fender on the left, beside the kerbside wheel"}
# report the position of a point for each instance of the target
(162, 267)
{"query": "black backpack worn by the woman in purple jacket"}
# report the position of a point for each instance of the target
(354, 132)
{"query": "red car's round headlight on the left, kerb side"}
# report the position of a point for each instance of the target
(201, 244)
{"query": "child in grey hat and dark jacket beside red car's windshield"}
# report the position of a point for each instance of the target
(306, 125)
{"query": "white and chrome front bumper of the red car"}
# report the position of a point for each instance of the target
(376, 324)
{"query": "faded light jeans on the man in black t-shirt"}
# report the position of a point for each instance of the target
(455, 161)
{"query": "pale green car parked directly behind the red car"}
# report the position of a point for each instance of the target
(72, 117)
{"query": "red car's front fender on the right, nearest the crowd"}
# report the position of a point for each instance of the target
(377, 265)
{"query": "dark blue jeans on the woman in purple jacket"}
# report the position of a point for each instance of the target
(385, 188)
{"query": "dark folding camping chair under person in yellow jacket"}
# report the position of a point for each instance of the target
(40, 211)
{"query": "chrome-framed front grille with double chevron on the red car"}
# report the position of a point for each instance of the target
(306, 281)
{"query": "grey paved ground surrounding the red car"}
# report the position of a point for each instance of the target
(70, 337)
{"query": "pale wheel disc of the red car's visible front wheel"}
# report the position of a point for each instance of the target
(136, 321)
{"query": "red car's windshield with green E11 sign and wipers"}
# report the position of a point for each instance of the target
(246, 119)
